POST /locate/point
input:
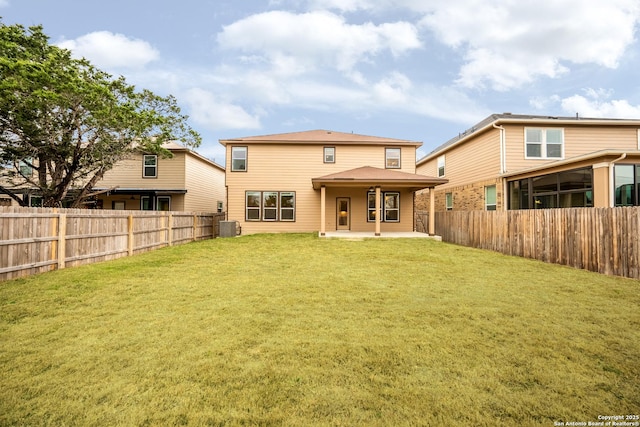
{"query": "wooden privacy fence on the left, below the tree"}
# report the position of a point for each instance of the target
(34, 240)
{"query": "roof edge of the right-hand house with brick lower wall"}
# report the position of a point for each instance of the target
(508, 118)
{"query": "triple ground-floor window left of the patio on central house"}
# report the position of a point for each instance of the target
(270, 206)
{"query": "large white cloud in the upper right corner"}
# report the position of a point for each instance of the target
(507, 44)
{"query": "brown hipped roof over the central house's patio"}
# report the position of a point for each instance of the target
(370, 176)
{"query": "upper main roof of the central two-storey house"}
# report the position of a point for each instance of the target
(320, 136)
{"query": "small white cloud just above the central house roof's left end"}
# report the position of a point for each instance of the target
(215, 114)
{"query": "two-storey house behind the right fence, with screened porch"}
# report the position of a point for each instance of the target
(510, 161)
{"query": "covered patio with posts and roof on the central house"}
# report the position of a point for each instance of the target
(375, 195)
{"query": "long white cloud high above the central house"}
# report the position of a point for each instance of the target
(300, 43)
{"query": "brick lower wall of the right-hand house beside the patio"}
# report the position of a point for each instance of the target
(468, 197)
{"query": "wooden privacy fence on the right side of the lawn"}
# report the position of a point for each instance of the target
(604, 240)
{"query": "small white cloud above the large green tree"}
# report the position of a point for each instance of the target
(108, 50)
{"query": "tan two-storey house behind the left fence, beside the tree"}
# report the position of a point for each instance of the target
(185, 182)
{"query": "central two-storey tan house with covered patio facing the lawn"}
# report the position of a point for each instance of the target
(322, 181)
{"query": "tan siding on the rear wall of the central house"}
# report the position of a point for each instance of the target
(290, 168)
